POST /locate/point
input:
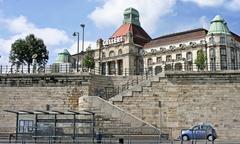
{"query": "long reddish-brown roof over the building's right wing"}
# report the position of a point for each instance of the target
(177, 37)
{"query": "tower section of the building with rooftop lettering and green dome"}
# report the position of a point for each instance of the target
(121, 53)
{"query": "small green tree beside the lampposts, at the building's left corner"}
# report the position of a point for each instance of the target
(88, 60)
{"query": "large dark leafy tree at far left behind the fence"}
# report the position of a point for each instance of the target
(22, 51)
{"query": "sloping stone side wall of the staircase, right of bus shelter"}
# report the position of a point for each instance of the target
(131, 128)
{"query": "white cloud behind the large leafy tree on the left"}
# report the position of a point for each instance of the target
(20, 27)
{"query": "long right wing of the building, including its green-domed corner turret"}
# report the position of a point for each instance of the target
(179, 51)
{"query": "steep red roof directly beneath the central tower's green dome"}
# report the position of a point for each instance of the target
(139, 35)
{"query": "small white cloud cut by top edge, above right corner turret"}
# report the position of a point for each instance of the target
(203, 3)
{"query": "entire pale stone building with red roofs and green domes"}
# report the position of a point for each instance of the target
(130, 50)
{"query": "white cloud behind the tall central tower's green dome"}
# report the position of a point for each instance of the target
(110, 13)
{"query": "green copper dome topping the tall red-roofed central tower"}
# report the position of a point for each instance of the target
(131, 16)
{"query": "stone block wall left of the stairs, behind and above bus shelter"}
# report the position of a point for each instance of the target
(36, 98)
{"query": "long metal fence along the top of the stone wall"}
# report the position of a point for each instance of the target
(154, 69)
